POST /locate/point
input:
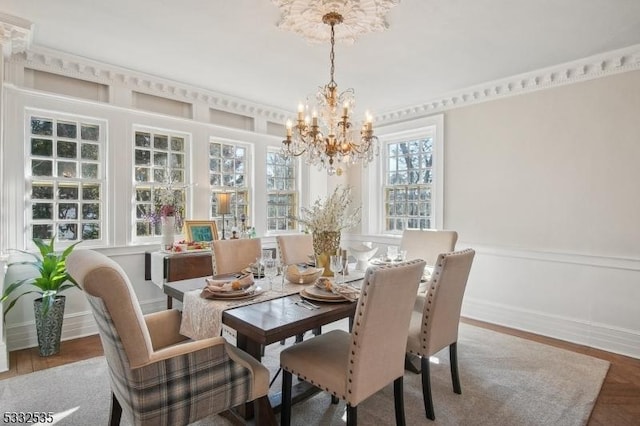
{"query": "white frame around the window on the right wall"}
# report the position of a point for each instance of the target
(374, 176)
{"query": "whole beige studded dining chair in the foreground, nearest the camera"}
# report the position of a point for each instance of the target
(353, 366)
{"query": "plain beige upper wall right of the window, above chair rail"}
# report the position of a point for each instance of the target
(553, 170)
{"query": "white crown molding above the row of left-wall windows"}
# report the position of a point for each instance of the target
(47, 60)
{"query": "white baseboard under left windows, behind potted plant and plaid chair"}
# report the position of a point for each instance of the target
(76, 325)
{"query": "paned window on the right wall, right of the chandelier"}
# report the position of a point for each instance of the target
(408, 185)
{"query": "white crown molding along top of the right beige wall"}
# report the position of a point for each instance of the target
(609, 63)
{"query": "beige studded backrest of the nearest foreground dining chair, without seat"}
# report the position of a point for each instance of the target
(381, 327)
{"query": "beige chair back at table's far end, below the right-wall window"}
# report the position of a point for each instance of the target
(427, 244)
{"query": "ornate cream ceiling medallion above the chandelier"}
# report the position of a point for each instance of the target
(304, 17)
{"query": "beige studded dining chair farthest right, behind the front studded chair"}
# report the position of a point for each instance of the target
(436, 316)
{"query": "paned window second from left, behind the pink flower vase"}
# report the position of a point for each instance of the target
(159, 178)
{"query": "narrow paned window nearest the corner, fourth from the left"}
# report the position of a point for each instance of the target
(282, 196)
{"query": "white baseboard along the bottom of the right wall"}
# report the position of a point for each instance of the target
(599, 336)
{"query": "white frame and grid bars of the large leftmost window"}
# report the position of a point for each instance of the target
(56, 180)
